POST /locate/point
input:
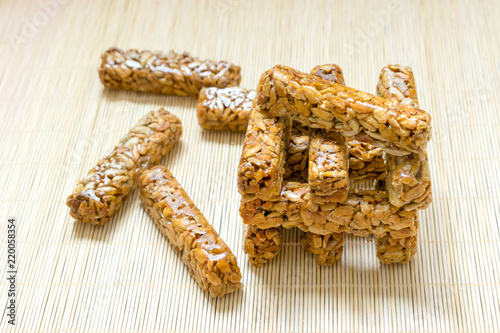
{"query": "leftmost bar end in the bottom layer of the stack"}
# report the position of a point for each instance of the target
(261, 245)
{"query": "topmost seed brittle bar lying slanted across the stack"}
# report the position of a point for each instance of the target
(318, 103)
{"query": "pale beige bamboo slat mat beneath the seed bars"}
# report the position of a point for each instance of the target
(56, 120)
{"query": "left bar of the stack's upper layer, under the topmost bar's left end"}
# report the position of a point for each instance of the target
(261, 167)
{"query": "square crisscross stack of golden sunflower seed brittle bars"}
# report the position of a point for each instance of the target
(310, 138)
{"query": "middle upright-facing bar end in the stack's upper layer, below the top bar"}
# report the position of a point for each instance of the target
(328, 165)
